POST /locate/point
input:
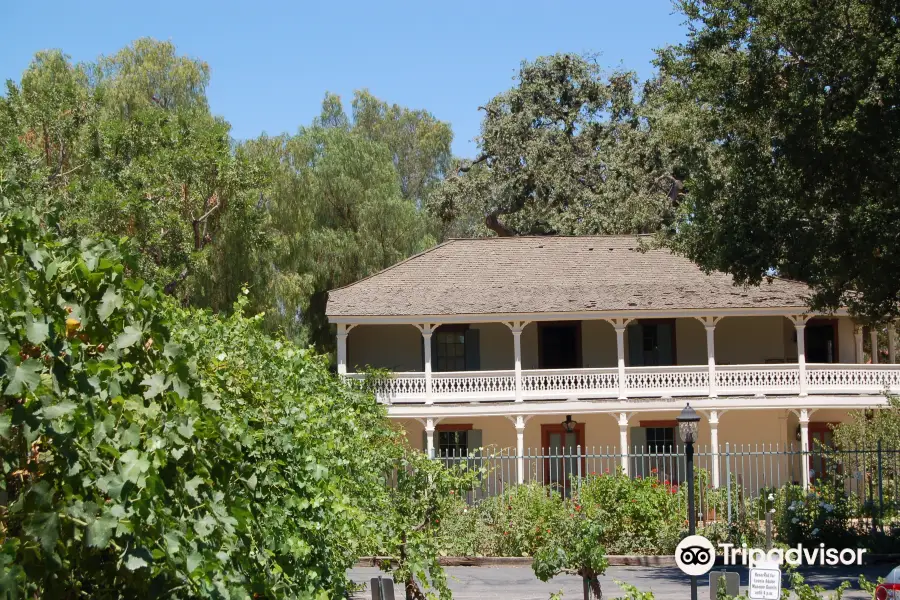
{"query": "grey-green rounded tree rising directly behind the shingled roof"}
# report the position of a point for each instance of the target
(564, 151)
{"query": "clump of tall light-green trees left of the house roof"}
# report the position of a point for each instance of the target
(129, 146)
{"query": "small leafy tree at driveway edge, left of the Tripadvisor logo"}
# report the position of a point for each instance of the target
(576, 550)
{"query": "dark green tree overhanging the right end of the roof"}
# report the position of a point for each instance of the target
(785, 113)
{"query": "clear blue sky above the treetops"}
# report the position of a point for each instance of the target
(272, 62)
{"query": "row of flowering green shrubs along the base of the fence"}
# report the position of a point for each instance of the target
(637, 516)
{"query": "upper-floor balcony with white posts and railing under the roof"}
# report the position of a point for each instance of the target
(620, 359)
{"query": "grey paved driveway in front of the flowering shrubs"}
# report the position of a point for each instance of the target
(667, 583)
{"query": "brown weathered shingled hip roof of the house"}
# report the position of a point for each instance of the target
(550, 275)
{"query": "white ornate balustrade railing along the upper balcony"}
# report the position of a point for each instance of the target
(640, 382)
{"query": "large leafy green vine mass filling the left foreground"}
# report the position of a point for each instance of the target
(154, 451)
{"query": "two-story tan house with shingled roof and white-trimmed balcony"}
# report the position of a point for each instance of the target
(495, 341)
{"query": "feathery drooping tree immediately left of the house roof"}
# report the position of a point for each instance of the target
(337, 205)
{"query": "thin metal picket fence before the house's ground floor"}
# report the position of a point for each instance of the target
(733, 481)
